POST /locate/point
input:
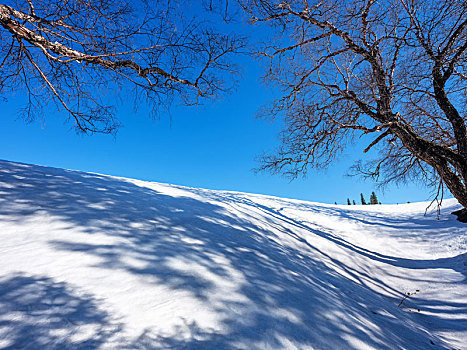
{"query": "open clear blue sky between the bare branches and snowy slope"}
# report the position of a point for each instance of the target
(212, 146)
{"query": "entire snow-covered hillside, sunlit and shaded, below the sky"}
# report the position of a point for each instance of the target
(89, 261)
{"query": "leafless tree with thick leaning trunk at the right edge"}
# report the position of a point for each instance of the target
(396, 69)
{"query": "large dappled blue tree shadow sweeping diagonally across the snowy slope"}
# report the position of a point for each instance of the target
(288, 298)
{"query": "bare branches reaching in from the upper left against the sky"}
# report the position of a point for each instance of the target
(73, 52)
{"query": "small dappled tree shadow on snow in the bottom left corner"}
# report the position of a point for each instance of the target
(40, 313)
